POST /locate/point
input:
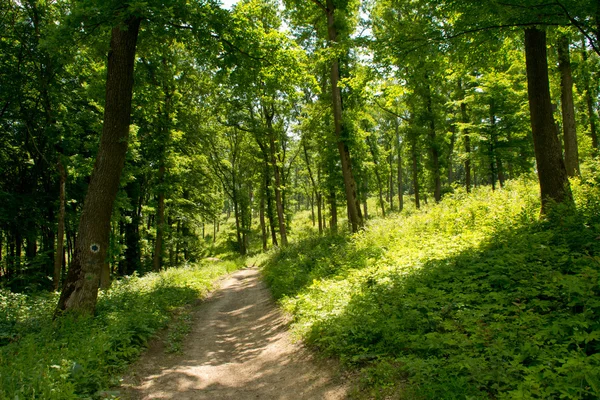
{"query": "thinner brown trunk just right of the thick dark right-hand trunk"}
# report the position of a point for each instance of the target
(568, 108)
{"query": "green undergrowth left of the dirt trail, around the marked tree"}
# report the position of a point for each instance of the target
(77, 358)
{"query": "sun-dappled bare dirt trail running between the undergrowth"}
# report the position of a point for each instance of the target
(239, 348)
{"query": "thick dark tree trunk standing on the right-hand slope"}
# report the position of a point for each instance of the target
(552, 174)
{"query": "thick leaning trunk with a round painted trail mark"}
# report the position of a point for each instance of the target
(80, 290)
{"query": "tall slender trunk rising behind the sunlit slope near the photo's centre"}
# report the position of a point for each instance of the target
(352, 201)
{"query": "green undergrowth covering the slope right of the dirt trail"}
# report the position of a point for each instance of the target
(474, 298)
